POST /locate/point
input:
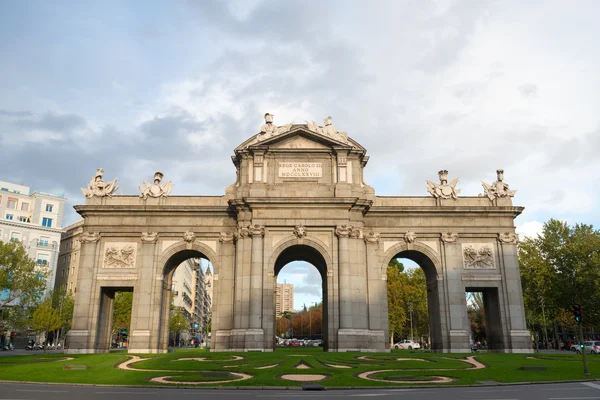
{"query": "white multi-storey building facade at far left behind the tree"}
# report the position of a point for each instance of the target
(34, 219)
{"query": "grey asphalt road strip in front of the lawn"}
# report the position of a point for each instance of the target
(555, 391)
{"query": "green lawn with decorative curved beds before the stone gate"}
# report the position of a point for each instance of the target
(101, 368)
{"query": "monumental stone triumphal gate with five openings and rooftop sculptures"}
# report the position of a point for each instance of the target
(299, 195)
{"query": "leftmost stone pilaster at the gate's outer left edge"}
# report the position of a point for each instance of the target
(80, 338)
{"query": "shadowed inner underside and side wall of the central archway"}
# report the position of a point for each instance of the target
(303, 252)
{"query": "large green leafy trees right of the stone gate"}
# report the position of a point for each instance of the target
(562, 265)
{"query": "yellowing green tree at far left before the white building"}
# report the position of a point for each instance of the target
(21, 284)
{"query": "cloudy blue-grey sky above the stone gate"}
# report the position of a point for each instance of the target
(174, 86)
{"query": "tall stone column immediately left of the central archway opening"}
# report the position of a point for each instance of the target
(254, 335)
